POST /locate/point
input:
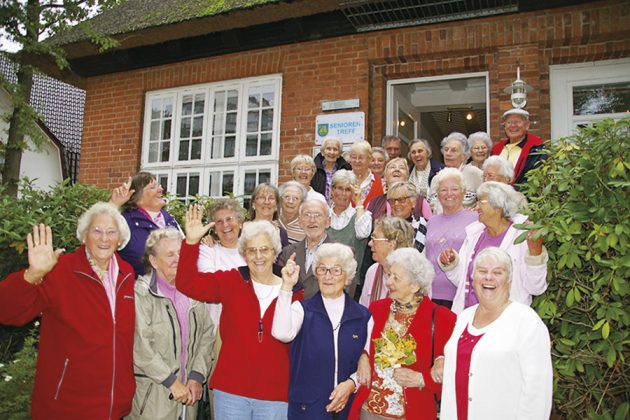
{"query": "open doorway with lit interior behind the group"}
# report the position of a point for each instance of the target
(432, 107)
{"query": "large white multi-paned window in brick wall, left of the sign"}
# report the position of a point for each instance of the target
(213, 139)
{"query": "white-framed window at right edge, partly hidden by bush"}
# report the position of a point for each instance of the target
(585, 93)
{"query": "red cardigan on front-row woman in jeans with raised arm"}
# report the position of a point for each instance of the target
(248, 366)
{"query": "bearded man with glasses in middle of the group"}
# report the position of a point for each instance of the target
(314, 219)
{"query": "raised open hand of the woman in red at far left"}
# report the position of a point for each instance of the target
(41, 257)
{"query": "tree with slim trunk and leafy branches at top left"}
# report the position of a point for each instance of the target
(28, 23)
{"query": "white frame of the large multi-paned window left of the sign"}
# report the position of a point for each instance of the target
(204, 166)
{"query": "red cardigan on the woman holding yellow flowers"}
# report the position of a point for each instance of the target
(420, 403)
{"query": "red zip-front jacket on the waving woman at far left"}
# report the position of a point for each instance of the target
(85, 361)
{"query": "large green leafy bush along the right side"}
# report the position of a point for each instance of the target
(581, 203)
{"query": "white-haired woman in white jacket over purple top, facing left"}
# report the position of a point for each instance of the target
(498, 208)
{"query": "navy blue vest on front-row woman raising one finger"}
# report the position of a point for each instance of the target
(312, 366)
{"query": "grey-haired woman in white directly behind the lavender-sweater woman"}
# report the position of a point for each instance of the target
(455, 151)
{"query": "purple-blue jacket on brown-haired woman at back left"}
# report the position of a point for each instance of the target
(140, 226)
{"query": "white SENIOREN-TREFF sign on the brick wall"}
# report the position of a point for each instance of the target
(348, 127)
